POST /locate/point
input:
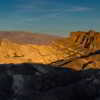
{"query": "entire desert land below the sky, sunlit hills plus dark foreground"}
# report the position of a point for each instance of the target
(46, 67)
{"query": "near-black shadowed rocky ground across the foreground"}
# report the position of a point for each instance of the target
(43, 82)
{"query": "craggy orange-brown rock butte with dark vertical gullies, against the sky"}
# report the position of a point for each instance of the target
(85, 39)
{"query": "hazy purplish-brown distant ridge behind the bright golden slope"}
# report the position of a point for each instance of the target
(27, 37)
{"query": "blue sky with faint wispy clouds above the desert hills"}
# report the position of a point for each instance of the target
(50, 16)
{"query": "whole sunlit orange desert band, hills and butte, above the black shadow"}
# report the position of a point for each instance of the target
(78, 51)
